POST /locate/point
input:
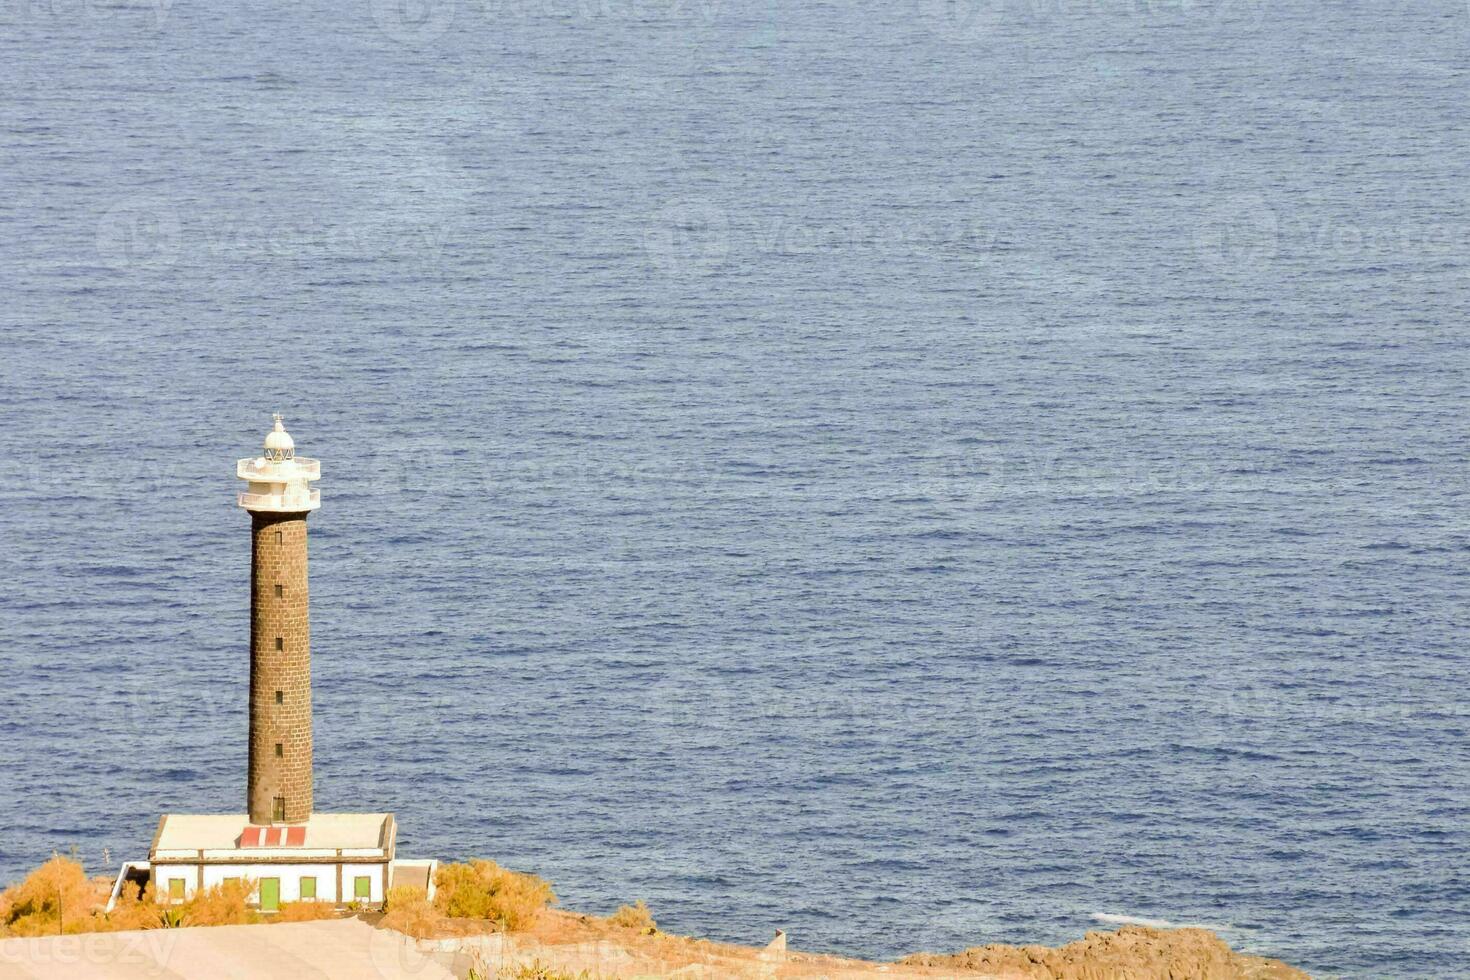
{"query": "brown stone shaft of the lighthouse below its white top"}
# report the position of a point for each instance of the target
(279, 559)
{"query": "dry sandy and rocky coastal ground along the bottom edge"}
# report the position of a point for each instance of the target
(570, 947)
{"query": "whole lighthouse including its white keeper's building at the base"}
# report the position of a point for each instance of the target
(282, 846)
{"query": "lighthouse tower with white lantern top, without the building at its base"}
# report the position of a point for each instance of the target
(280, 497)
